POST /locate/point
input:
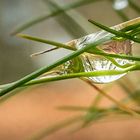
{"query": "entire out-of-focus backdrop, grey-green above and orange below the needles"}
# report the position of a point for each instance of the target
(15, 62)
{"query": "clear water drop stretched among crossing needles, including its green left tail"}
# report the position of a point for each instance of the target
(91, 62)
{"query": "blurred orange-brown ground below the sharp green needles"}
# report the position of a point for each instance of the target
(34, 109)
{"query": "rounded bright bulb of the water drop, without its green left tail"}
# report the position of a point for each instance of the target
(93, 62)
